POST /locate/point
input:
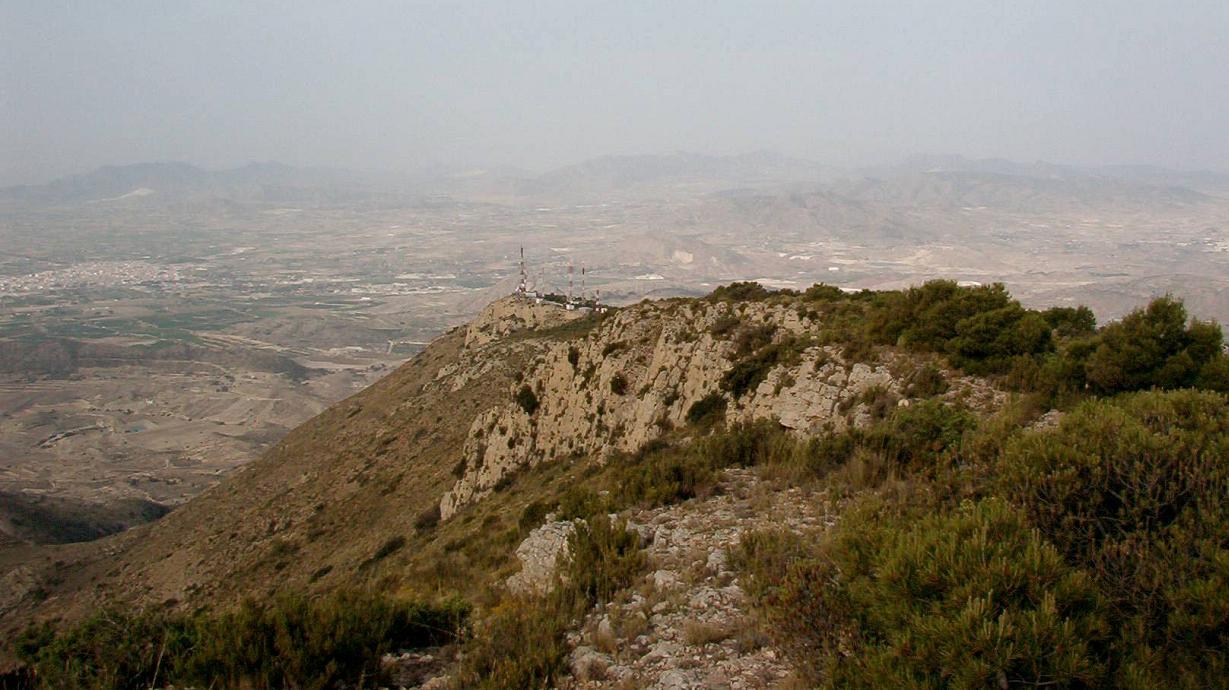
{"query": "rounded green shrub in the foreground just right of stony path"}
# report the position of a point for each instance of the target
(973, 598)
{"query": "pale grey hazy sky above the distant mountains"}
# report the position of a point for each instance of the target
(401, 85)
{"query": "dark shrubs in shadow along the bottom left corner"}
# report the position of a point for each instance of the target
(291, 643)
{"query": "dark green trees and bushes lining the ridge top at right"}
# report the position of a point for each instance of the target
(1056, 352)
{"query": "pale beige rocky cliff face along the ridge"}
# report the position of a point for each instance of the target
(638, 373)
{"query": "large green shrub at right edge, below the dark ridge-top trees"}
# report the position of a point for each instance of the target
(1134, 490)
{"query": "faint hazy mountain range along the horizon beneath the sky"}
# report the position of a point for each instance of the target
(919, 180)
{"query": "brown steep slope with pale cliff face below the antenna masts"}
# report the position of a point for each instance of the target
(353, 496)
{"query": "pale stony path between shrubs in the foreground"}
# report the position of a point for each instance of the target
(690, 625)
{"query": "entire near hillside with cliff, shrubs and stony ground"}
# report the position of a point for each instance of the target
(651, 496)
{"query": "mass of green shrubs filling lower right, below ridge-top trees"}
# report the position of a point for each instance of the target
(1093, 555)
